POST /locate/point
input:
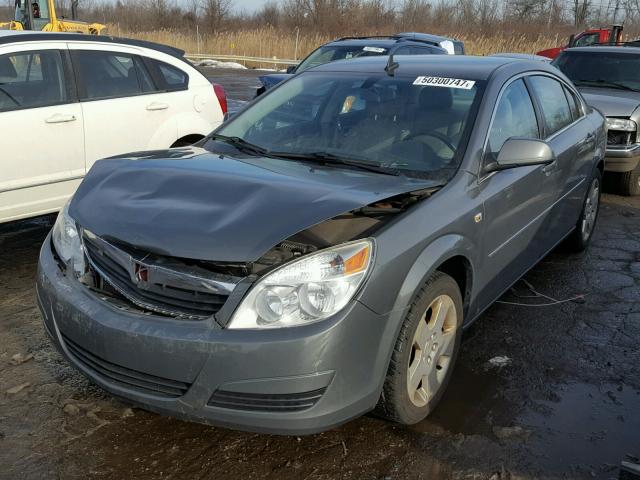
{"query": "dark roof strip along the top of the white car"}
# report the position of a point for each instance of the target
(14, 36)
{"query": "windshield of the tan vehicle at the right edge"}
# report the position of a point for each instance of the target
(619, 71)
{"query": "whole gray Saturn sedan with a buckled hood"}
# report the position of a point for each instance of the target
(318, 256)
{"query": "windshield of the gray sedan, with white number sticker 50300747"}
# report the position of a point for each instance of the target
(397, 123)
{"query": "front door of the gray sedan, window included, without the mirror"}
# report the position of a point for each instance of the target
(515, 200)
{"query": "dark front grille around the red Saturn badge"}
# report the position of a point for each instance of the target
(170, 292)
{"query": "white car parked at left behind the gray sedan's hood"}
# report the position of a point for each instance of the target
(67, 100)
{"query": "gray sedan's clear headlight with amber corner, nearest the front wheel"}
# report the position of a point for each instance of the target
(306, 290)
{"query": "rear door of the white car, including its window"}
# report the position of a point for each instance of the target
(124, 109)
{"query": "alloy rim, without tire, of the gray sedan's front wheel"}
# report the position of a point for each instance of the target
(431, 350)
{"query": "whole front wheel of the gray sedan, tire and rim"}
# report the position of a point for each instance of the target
(425, 352)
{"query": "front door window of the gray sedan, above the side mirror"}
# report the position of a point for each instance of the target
(514, 117)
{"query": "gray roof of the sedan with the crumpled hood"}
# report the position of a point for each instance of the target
(455, 66)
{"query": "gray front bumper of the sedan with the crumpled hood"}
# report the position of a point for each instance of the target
(288, 381)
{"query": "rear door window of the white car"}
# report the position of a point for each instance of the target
(111, 75)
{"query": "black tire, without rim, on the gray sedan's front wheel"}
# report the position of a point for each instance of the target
(395, 403)
